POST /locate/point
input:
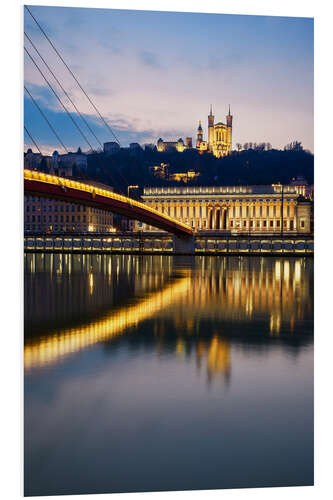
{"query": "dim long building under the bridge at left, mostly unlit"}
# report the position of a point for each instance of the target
(43, 215)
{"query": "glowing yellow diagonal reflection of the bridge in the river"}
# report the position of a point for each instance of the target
(56, 345)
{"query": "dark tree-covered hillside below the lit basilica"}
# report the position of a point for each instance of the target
(258, 165)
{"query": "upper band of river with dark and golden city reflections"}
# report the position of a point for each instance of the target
(75, 301)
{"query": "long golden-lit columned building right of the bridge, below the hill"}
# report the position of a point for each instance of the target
(237, 209)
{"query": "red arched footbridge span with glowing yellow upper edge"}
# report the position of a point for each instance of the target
(51, 186)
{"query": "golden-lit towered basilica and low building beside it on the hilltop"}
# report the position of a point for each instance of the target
(219, 141)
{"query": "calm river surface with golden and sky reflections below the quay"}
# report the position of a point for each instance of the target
(165, 373)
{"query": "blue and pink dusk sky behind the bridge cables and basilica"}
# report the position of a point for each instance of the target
(155, 74)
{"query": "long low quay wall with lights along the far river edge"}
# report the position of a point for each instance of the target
(162, 243)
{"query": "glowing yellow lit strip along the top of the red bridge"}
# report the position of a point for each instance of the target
(35, 175)
